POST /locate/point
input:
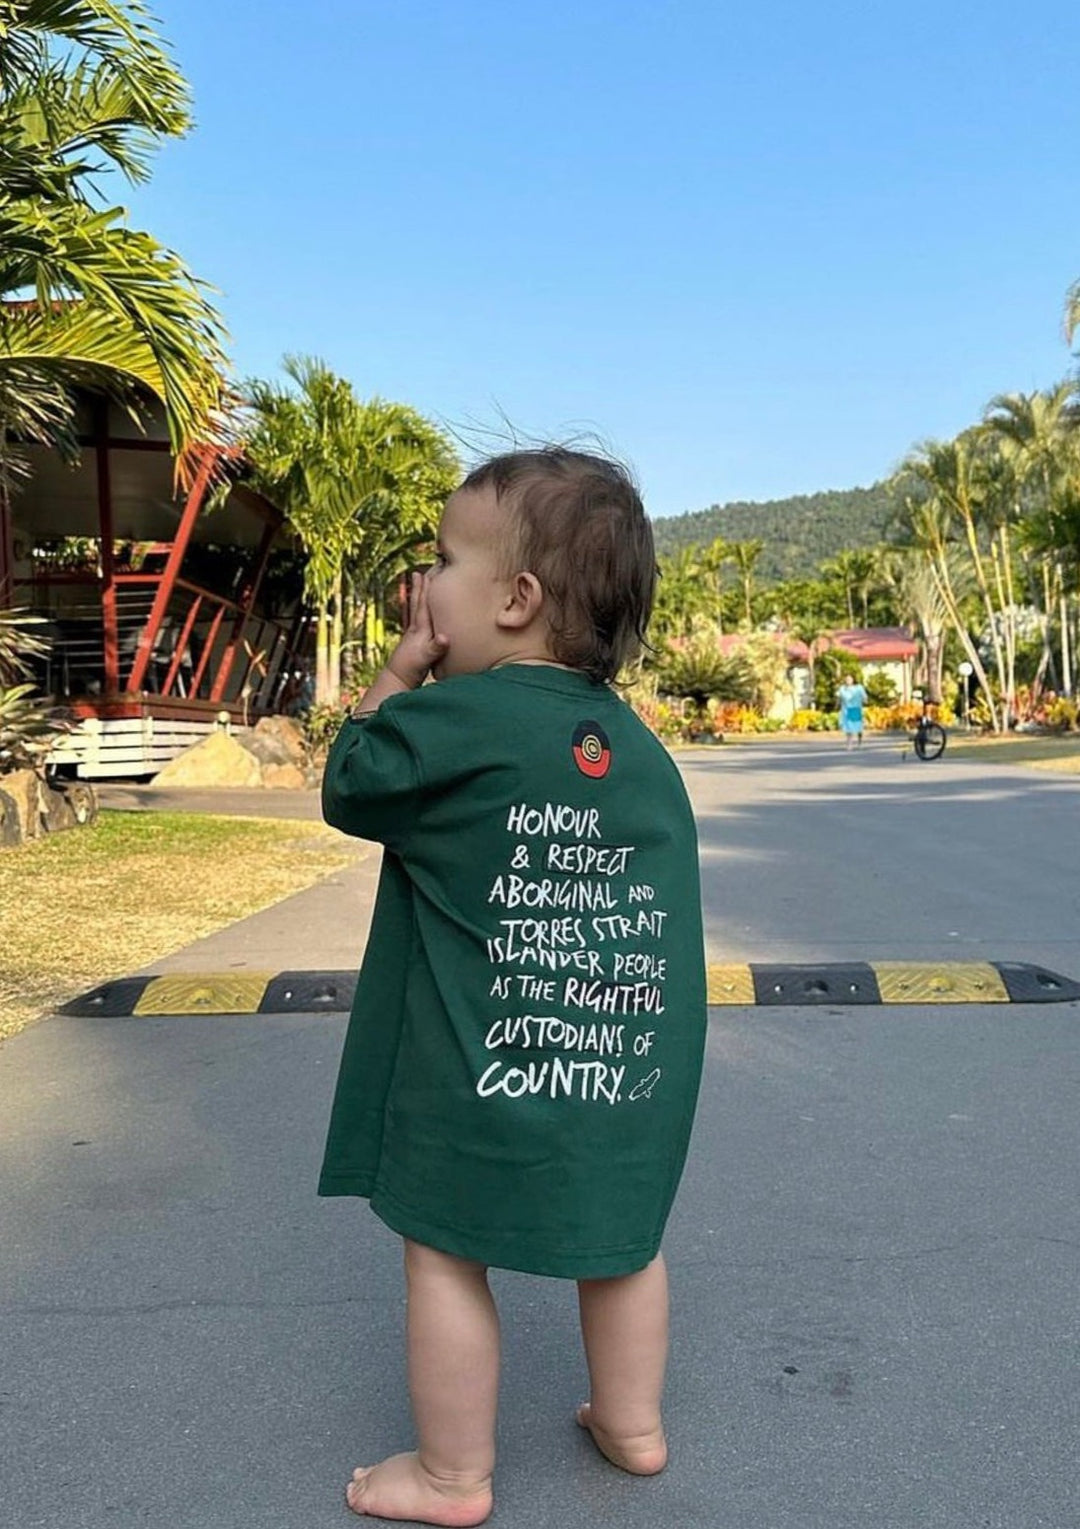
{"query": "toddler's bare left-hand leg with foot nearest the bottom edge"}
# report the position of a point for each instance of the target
(454, 1381)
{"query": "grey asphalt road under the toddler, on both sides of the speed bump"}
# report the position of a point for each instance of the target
(876, 1253)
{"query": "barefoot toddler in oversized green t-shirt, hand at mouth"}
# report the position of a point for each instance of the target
(525, 1050)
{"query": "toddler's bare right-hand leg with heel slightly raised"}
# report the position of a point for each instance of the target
(625, 1329)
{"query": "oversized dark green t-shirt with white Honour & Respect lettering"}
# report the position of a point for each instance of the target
(525, 1048)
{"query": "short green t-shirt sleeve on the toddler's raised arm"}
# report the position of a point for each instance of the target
(372, 781)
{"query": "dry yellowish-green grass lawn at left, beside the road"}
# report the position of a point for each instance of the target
(97, 903)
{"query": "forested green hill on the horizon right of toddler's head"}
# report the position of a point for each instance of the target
(799, 533)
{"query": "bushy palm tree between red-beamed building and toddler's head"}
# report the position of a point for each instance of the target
(360, 482)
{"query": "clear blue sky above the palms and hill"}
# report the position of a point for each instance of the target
(756, 250)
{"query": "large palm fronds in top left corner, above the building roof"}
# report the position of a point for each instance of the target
(86, 88)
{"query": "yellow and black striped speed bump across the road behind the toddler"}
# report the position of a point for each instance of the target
(888, 982)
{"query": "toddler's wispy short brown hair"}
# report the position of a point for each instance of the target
(579, 525)
